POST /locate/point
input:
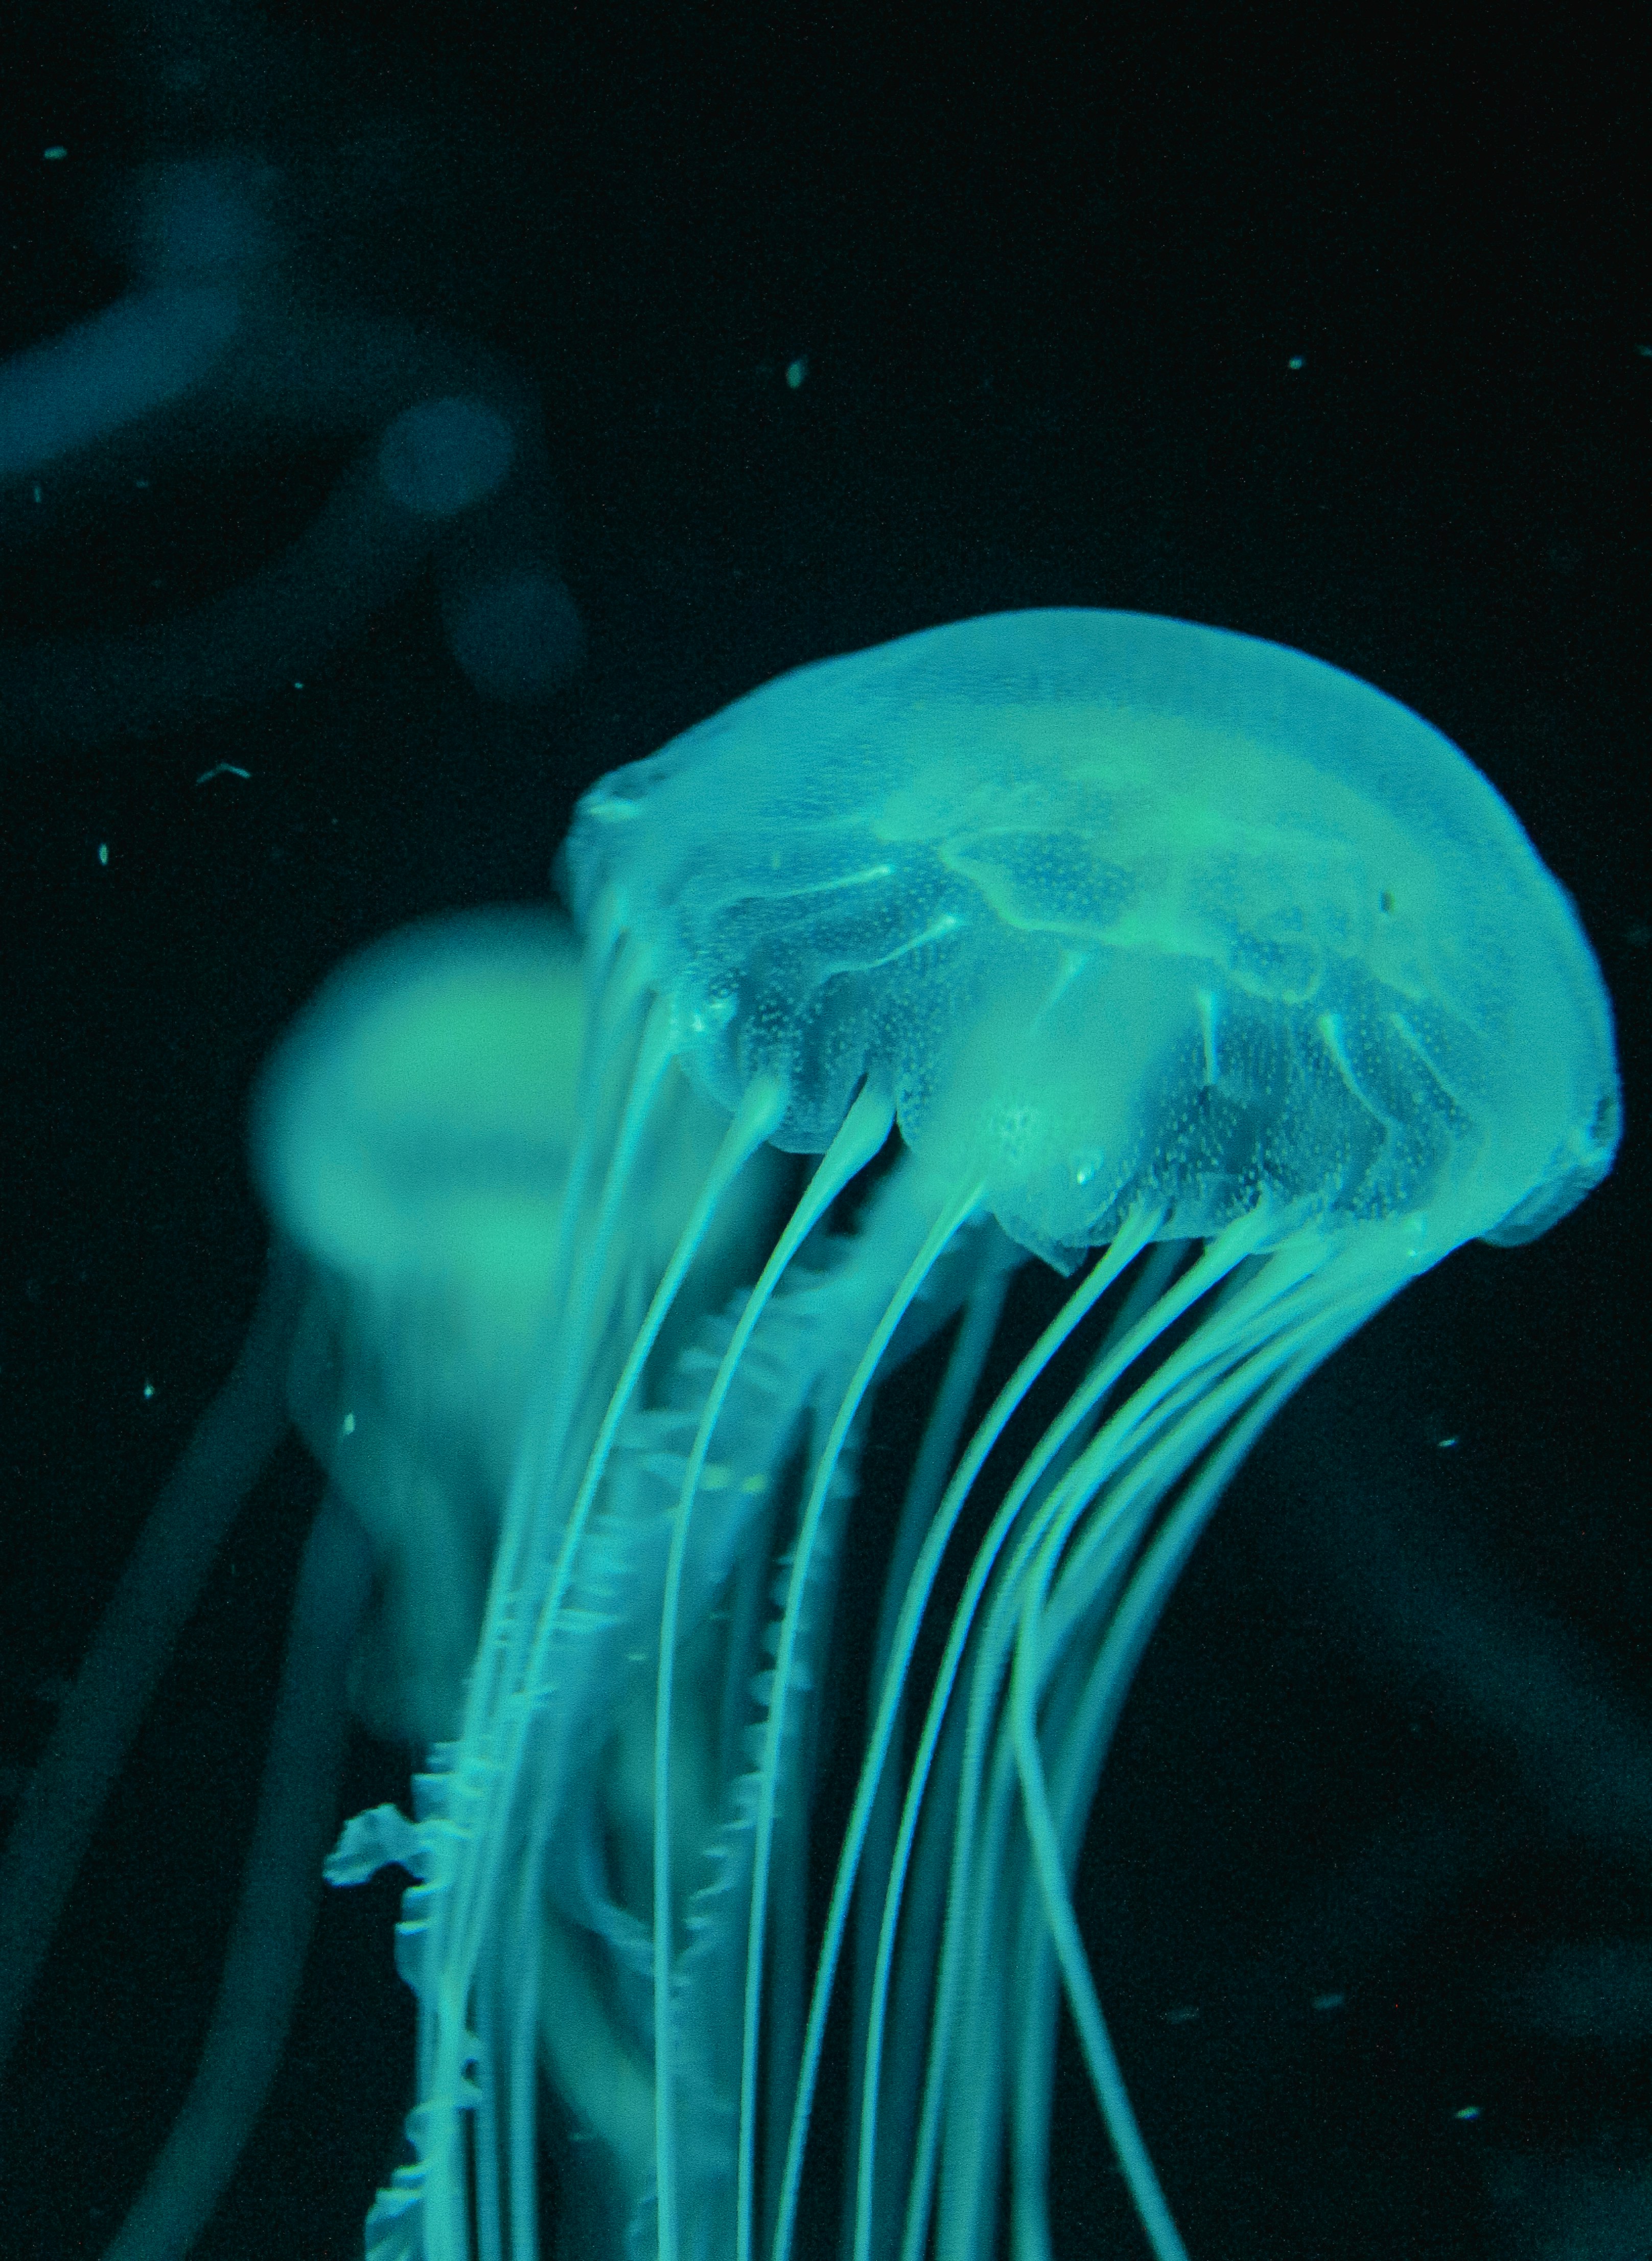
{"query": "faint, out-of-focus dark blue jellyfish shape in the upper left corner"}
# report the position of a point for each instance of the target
(227, 347)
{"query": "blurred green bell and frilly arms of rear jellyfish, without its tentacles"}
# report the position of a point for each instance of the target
(417, 1331)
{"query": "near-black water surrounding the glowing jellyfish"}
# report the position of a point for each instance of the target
(1244, 315)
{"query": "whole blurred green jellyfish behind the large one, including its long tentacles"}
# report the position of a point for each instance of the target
(417, 1134)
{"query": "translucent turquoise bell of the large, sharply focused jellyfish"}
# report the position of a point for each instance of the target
(1127, 824)
